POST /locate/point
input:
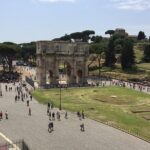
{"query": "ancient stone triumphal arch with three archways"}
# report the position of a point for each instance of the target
(57, 60)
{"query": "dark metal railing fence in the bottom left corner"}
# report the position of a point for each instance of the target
(19, 145)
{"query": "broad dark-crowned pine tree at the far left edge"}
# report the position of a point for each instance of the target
(8, 53)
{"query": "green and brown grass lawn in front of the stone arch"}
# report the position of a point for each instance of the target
(112, 105)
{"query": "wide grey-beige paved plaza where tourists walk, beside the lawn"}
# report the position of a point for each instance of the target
(66, 135)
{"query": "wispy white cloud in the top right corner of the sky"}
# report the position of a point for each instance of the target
(132, 4)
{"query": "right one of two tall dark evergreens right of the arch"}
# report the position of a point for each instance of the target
(127, 55)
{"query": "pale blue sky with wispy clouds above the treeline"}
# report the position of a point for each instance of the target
(33, 20)
